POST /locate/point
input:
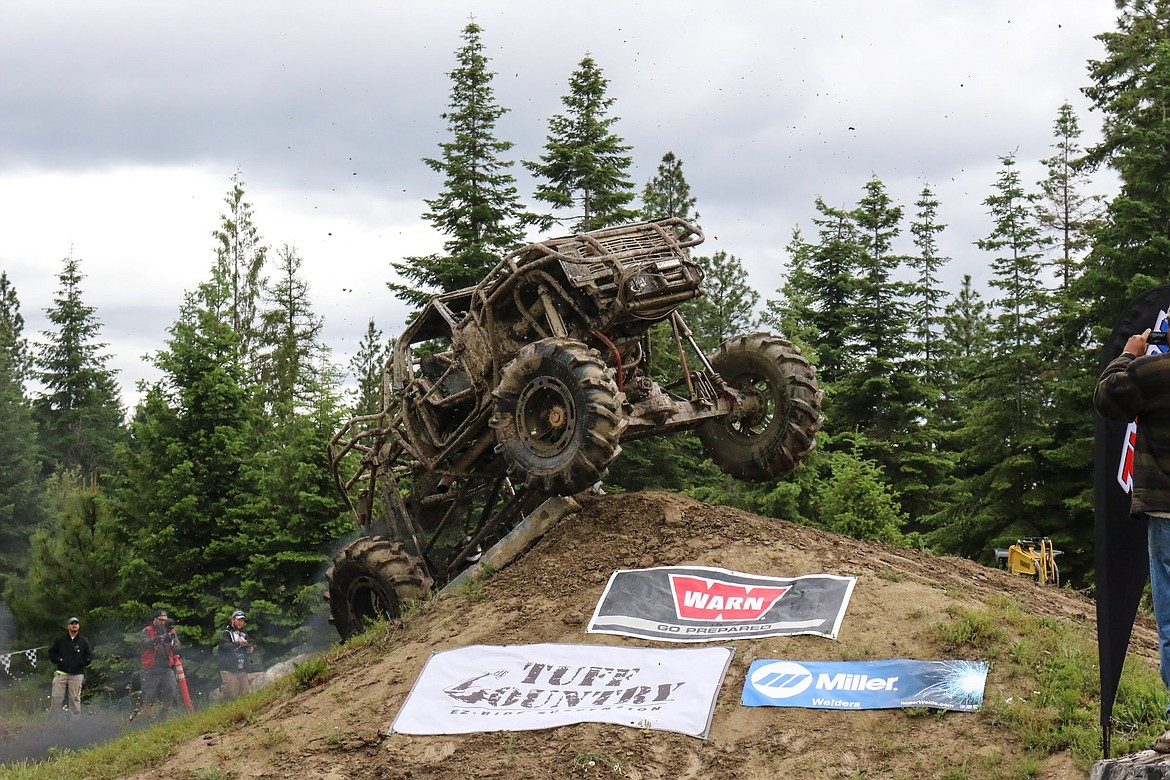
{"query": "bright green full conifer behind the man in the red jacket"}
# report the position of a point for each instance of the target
(194, 438)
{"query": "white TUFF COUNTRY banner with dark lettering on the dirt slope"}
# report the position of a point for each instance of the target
(526, 687)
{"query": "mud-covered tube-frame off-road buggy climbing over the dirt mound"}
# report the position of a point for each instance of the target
(525, 386)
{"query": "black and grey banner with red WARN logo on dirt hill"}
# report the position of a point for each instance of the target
(699, 604)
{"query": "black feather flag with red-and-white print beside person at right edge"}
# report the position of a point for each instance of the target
(1123, 561)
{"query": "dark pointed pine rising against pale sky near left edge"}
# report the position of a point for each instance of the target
(80, 412)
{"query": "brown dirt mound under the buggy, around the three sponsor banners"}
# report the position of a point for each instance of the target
(339, 730)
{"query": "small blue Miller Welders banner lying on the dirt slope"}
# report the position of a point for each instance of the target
(866, 685)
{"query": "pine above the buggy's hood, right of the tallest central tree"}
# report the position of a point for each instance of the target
(586, 163)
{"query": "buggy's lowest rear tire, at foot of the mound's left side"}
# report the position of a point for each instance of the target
(369, 581)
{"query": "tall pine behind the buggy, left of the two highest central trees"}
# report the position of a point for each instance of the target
(479, 211)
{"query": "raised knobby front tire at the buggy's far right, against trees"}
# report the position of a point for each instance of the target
(786, 402)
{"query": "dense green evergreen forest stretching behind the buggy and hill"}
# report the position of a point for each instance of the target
(956, 420)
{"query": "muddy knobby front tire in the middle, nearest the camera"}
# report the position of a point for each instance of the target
(558, 420)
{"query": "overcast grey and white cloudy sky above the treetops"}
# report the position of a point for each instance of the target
(122, 125)
